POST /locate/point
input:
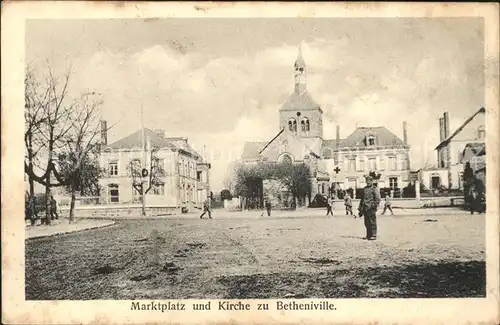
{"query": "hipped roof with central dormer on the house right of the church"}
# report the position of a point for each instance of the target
(383, 136)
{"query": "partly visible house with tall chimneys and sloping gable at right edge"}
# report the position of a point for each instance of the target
(450, 150)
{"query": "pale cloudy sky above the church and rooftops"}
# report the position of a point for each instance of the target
(220, 82)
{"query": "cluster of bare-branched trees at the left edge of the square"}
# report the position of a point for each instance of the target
(62, 145)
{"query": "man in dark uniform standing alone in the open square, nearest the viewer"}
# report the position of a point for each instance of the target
(368, 208)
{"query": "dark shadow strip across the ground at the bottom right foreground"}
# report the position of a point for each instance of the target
(441, 280)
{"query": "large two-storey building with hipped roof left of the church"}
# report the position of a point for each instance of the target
(182, 175)
